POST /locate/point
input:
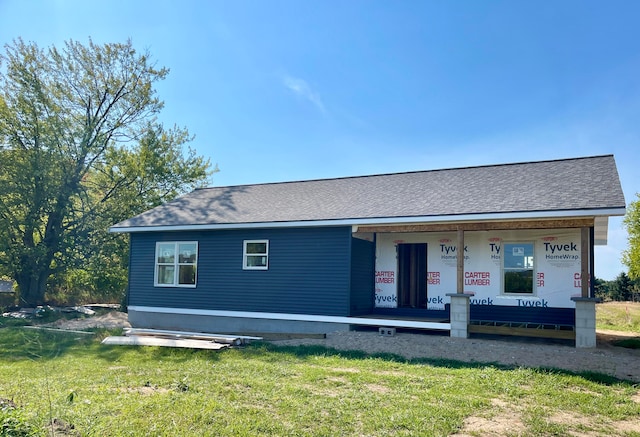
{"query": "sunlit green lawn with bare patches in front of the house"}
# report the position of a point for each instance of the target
(263, 390)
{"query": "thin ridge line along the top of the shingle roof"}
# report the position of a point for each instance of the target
(405, 172)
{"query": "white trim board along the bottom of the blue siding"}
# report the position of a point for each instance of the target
(294, 317)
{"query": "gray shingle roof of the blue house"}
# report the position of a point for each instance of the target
(560, 185)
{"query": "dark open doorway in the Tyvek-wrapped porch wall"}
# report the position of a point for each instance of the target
(412, 275)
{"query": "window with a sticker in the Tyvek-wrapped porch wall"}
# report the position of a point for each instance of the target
(518, 268)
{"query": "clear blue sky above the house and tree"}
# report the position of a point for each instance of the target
(290, 90)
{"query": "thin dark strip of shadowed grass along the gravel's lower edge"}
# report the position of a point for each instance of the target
(308, 351)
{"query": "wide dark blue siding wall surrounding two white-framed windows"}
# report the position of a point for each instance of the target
(309, 272)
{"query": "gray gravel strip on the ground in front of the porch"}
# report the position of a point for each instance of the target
(620, 362)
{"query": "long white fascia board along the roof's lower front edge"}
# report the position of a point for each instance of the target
(377, 221)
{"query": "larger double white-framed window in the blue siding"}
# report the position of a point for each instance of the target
(176, 264)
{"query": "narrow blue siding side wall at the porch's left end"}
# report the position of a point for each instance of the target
(362, 276)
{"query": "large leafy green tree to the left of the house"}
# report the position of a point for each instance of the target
(80, 149)
